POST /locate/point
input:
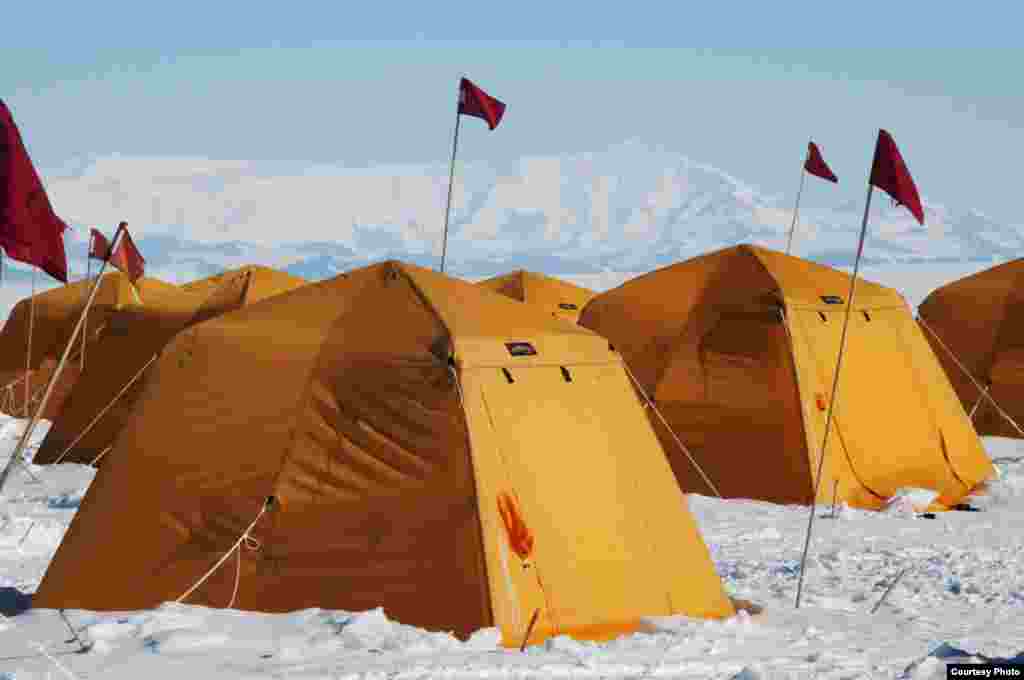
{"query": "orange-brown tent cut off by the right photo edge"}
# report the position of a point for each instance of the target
(980, 320)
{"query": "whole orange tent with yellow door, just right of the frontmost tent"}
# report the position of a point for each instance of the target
(739, 349)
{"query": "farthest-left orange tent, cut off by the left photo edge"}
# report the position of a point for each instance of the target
(51, 318)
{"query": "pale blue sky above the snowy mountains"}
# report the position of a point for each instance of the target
(375, 83)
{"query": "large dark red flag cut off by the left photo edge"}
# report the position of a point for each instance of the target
(30, 232)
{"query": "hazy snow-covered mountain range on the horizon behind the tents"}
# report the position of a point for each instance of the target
(630, 208)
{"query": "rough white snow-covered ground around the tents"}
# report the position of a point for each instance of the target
(963, 589)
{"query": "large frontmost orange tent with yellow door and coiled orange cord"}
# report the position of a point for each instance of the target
(396, 486)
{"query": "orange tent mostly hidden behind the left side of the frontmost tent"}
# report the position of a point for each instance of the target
(134, 336)
